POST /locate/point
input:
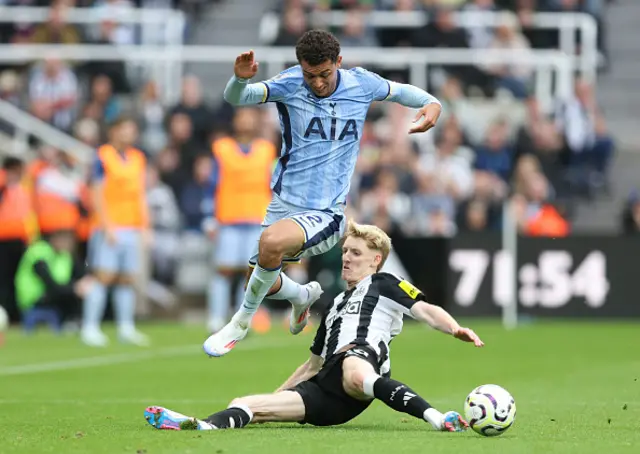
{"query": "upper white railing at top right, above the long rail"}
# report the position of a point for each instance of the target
(585, 61)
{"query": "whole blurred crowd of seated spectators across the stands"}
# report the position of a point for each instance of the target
(454, 179)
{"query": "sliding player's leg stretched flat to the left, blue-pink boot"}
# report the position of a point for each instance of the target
(284, 406)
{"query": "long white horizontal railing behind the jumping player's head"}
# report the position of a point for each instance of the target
(546, 63)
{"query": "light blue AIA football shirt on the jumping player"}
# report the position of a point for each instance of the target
(321, 136)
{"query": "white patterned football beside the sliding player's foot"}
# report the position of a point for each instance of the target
(490, 410)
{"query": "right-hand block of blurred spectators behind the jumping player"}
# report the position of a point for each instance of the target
(458, 177)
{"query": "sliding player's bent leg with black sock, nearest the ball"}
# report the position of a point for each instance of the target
(360, 381)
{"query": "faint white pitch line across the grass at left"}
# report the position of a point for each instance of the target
(108, 360)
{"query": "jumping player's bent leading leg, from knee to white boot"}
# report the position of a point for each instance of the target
(282, 238)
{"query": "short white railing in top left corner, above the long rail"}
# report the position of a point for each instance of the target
(171, 22)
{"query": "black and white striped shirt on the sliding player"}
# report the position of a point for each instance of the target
(369, 314)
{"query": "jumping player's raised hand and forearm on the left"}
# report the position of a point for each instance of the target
(238, 91)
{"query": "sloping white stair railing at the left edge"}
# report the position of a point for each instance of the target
(26, 124)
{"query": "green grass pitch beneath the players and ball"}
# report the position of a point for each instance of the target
(570, 382)
